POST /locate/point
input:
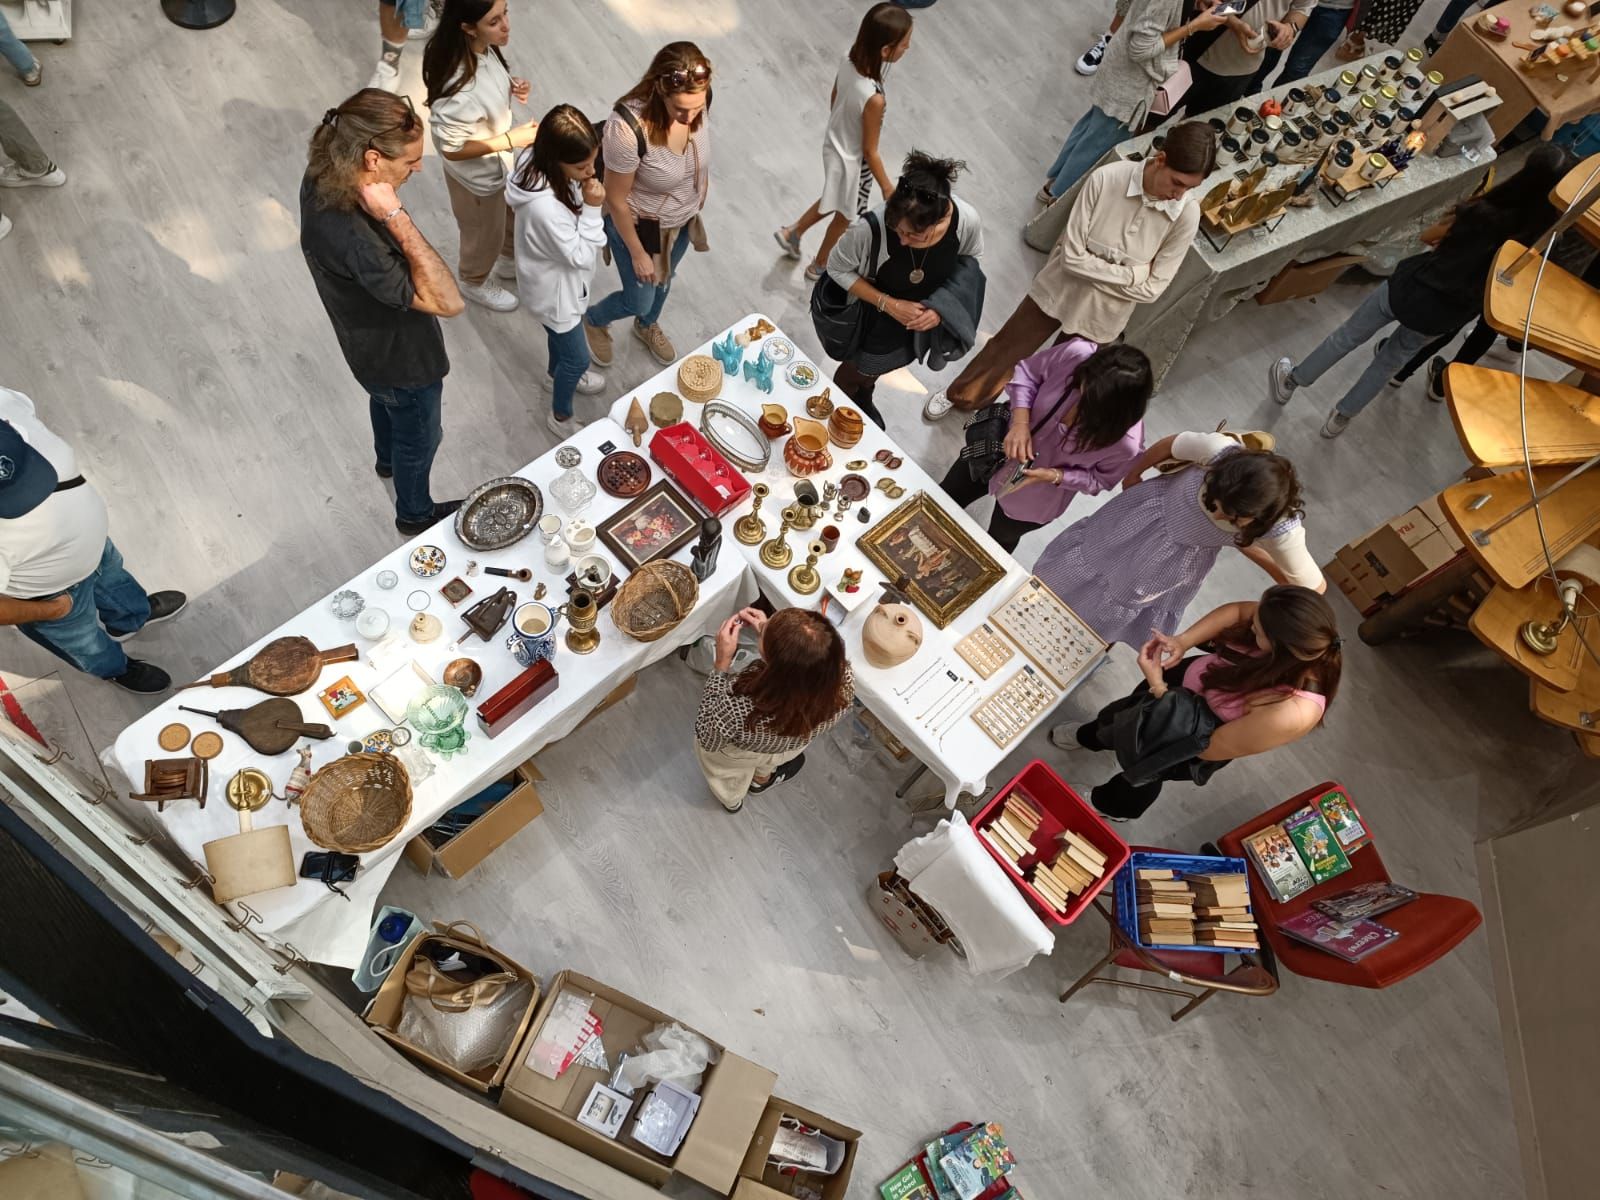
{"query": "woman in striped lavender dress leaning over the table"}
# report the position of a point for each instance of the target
(1135, 564)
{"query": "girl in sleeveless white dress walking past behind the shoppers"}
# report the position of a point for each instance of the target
(850, 150)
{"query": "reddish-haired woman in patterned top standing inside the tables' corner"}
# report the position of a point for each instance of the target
(753, 729)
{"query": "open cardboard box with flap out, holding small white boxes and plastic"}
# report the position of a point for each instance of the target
(734, 1097)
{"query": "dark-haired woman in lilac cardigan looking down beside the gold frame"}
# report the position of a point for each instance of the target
(1078, 425)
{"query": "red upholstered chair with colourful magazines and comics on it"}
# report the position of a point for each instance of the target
(1430, 927)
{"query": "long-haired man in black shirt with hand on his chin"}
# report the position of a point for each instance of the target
(383, 286)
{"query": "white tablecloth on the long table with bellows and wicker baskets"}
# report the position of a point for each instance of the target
(302, 914)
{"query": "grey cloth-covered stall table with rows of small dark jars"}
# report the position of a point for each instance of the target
(1380, 225)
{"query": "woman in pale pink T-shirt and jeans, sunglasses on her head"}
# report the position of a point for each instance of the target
(657, 153)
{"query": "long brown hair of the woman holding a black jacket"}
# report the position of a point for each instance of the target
(1306, 650)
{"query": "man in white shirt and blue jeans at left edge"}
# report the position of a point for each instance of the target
(62, 580)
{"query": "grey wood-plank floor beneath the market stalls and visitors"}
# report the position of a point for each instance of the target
(161, 314)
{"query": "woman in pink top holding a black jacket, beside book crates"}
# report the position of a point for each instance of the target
(1270, 676)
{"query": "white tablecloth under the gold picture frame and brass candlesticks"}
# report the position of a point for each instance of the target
(964, 756)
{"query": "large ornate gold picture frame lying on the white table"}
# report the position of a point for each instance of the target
(945, 569)
